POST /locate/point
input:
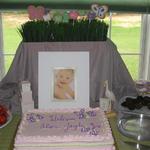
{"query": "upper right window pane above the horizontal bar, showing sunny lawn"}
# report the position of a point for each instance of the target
(126, 30)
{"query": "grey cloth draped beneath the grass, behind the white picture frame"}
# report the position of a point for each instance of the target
(105, 64)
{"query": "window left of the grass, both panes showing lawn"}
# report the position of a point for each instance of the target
(11, 21)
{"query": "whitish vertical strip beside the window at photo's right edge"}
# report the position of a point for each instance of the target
(145, 48)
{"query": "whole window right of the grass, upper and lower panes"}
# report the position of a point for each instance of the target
(125, 33)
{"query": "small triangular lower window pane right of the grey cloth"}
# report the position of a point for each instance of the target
(132, 63)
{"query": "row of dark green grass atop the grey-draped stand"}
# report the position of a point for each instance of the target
(50, 31)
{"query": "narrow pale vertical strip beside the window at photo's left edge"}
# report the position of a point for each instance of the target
(1, 50)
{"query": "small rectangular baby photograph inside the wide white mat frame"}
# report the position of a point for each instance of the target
(64, 84)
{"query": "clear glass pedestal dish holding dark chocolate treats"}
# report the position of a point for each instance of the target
(134, 123)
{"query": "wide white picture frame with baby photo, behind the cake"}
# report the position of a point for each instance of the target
(54, 64)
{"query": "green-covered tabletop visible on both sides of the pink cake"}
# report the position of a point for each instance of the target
(7, 135)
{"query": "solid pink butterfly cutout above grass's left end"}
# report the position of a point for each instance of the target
(36, 13)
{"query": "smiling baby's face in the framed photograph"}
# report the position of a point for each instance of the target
(64, 77)
